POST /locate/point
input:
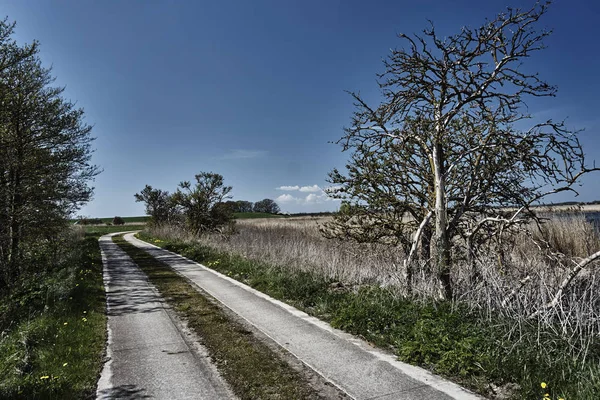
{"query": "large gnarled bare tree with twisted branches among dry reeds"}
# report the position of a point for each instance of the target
(442, 145)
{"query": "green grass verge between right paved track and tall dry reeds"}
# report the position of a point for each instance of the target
(450, 340)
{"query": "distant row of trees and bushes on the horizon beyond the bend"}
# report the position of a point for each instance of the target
(202, 206)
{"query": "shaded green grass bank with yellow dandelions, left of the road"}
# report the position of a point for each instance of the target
(53, 339)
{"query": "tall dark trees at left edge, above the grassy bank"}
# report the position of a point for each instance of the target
(45, 167)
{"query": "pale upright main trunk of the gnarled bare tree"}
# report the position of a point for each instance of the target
(441, 240)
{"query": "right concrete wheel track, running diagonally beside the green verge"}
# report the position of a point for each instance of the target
(349, 363)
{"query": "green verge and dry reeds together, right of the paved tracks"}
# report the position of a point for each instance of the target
(480, 340)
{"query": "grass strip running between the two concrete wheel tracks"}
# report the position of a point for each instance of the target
(251, 368)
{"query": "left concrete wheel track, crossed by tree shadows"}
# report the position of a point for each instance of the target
(148, 357)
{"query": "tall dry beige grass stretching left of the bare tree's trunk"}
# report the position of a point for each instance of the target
(297, 244)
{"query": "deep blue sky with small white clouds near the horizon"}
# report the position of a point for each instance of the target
(254, 90)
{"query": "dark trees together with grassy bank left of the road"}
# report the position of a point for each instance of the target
(52, 321)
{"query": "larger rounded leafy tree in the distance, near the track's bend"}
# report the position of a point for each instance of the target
(203, 204)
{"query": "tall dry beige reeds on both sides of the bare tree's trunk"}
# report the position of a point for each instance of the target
(513, 287)
